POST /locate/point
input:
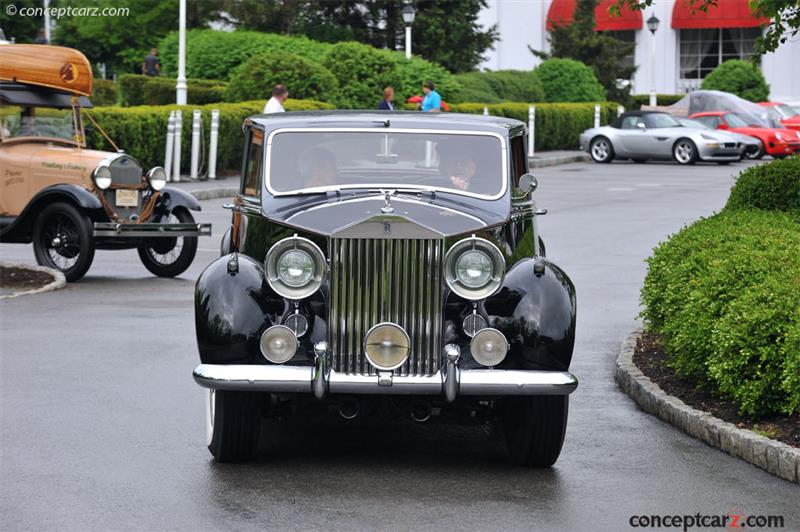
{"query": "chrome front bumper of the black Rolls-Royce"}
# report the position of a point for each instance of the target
(450, 382)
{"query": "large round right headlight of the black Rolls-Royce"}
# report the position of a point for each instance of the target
(474, 268)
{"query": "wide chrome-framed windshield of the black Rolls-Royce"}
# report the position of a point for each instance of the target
(319, 160)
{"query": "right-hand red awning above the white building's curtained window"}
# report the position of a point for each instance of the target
(726, 14)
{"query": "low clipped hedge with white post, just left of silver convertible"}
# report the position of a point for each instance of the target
(558, 125)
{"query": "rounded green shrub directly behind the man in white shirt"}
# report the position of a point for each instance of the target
(256, 77)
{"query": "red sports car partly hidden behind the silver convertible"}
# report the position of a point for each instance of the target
(778, 142)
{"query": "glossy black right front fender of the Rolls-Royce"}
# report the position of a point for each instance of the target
(536, 312)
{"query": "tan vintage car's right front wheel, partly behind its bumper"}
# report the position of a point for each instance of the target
(159, 256)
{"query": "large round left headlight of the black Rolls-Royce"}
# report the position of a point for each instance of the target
(295, 267)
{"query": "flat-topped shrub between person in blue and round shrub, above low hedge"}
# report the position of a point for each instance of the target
(502, 85)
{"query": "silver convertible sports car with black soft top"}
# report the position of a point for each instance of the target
(645, 135)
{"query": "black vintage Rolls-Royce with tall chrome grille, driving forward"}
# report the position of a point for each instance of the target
(380, 263)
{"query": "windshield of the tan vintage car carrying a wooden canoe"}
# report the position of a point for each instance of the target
(19, 122)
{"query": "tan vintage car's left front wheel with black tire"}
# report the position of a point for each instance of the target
(63, 240)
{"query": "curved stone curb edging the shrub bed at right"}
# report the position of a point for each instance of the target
(773, 456)
